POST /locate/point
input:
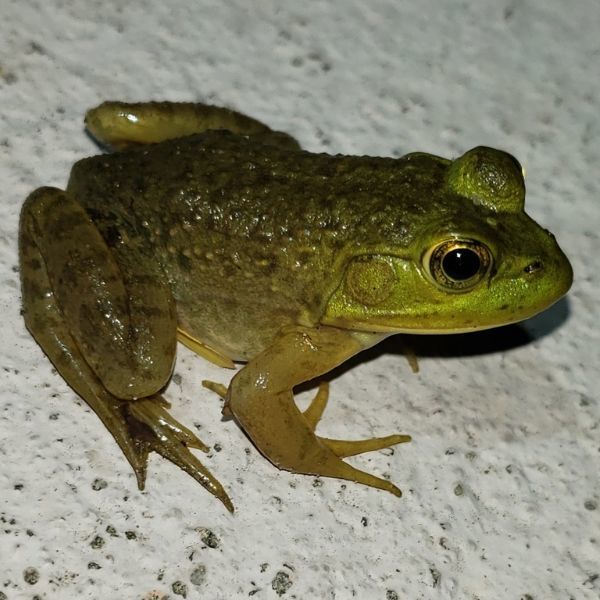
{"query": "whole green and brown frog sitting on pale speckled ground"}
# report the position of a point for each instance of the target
(203, 226)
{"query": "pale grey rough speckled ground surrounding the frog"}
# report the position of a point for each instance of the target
(501, 481)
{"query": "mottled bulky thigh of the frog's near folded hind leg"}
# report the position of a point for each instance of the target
(121, 319)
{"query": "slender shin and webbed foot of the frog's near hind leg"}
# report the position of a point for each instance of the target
(138, 427)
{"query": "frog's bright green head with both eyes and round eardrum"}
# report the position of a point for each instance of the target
(476, 260)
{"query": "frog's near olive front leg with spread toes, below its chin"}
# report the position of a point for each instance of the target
(261, 398)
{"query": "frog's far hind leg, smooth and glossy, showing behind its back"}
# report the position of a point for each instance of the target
(120, 125)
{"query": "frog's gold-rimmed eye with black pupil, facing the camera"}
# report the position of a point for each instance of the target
(458, 265)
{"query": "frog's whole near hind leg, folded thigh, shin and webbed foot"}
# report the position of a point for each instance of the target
(108, 328)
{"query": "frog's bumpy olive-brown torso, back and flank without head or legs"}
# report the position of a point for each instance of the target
(249, 233)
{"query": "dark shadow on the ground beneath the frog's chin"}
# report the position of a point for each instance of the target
(489, 341)
